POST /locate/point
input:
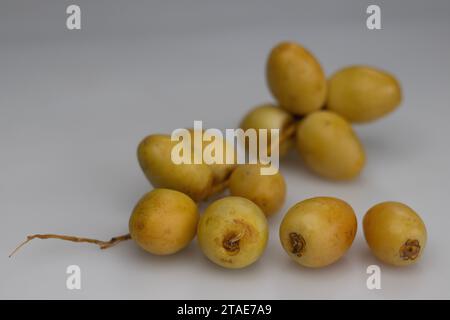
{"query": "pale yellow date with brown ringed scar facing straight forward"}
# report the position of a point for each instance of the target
(233, 232)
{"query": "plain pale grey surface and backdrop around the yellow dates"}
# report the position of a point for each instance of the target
(75, 104)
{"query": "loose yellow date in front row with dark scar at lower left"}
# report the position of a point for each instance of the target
(326, 225)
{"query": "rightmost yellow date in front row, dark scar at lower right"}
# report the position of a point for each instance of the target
(395, 233)
